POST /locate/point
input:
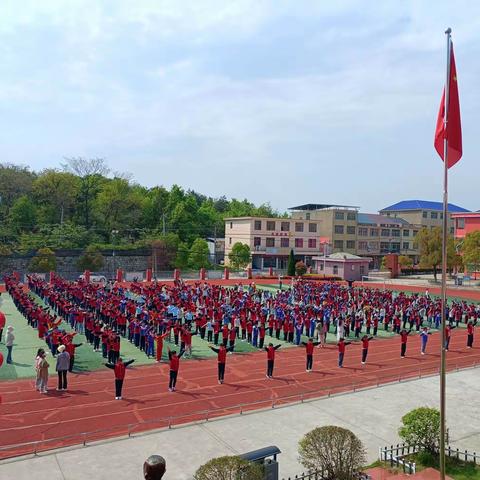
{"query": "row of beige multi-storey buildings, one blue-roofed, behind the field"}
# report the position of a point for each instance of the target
(314, 230)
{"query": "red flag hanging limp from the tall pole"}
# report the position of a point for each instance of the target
(453, 132)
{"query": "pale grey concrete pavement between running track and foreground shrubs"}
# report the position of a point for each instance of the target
(374, 415)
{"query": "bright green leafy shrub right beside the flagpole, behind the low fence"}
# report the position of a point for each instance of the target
(421, 427)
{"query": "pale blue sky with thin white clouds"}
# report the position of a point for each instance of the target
(286, 102)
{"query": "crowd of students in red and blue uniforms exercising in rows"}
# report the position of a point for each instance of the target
(148, 314)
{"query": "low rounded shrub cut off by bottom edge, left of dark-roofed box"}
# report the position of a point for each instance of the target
(229, 468)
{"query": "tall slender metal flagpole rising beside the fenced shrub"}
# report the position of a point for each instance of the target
(444, 267)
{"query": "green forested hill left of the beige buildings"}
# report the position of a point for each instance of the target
(82, 203)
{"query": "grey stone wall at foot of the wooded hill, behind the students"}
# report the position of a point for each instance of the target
(67, 263)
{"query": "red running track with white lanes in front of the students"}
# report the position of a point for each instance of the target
(89, 412)
